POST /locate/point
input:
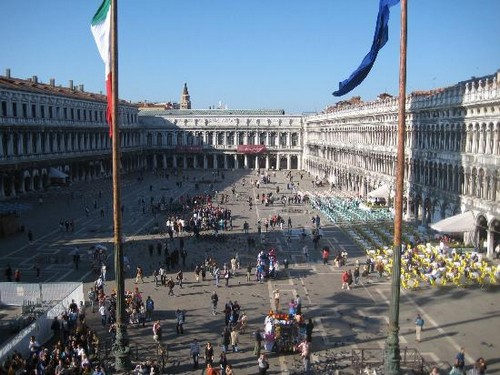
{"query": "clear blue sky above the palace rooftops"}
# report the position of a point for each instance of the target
(250, 54)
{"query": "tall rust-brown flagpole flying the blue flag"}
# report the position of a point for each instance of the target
(392, 352)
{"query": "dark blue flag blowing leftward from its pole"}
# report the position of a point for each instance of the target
(379, 39)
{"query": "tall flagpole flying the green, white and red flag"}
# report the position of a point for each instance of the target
(121, 349)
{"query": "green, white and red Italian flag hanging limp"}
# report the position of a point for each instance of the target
(101, 29)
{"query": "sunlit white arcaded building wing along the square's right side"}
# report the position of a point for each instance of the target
(452, 152)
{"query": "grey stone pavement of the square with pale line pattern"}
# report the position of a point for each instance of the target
(344, 320)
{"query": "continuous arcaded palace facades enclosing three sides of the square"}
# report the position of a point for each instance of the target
(452, 144)
